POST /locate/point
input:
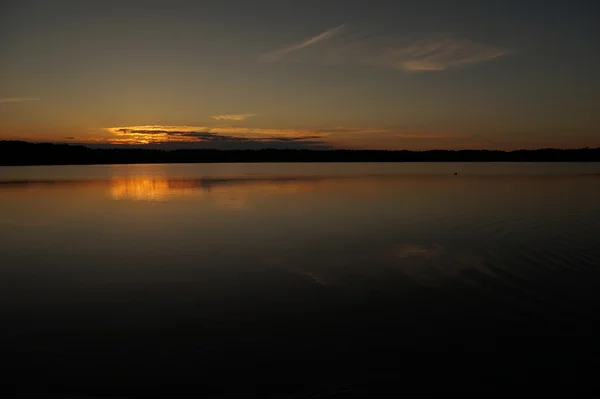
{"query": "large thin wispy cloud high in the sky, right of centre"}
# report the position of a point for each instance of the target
(387, 51)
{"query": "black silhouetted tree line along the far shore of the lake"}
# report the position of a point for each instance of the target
(25, 153)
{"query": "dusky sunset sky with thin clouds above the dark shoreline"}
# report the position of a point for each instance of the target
(358, 74)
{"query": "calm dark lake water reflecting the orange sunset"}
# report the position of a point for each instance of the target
(298, 279)
